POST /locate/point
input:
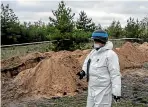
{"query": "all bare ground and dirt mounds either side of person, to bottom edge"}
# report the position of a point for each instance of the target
(49, 79)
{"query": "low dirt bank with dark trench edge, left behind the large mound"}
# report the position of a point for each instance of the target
(17, 64)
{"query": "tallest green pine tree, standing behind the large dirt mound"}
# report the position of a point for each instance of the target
(64, 26)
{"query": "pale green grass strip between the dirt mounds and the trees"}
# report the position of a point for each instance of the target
(23, 50)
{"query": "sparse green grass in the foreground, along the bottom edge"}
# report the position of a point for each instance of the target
(76, 101)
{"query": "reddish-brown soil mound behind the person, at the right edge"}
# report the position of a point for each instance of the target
(130, 56)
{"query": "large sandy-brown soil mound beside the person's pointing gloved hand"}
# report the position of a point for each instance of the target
(55, 76)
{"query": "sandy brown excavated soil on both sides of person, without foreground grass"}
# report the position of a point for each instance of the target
(53, 74)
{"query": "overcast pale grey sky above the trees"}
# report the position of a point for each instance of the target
(103, 12)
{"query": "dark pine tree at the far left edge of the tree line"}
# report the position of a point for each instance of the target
(9, 25)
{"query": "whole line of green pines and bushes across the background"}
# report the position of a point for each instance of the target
(62, 26)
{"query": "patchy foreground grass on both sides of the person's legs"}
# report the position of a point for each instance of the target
(80, 101)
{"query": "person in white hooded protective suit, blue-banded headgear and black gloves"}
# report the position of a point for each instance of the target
(102, 69)
